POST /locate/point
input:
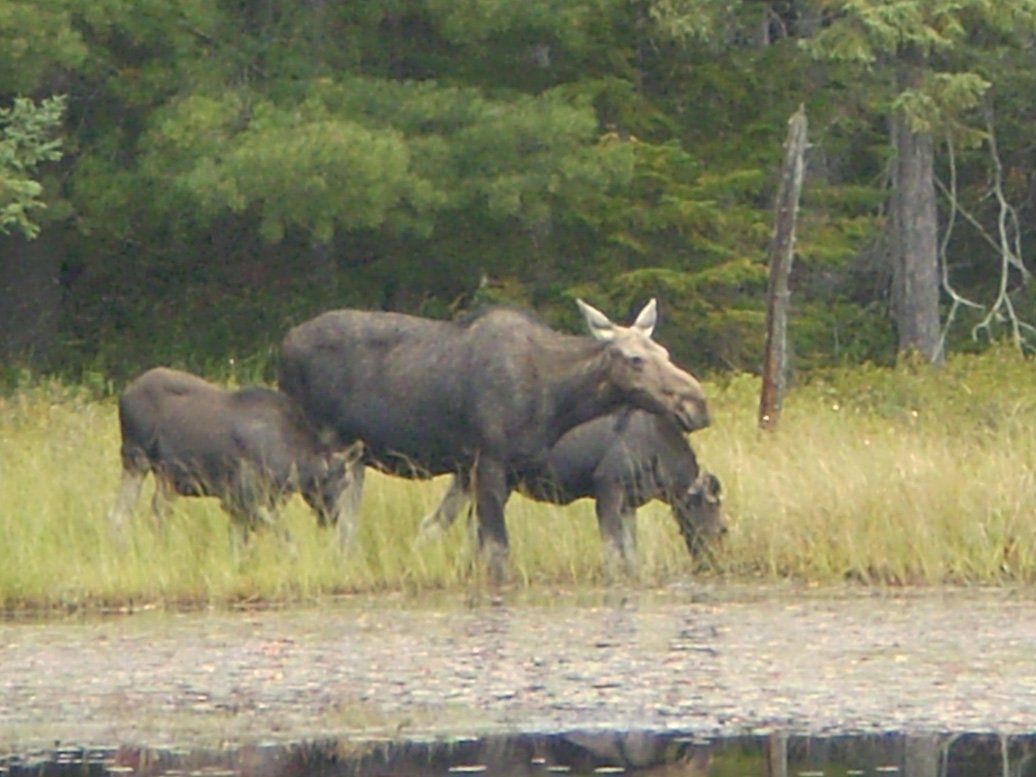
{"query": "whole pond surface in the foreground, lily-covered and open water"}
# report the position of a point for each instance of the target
(700, 681)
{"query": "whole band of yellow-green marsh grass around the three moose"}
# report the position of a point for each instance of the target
(894, 477)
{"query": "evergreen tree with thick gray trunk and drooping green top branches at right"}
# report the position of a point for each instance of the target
(930, 56)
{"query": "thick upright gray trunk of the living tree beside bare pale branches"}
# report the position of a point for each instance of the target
(914, 239)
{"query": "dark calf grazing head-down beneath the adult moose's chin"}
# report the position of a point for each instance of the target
(623, 462)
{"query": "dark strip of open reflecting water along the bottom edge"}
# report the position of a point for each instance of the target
(637, 755)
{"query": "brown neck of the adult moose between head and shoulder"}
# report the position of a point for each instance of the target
(579, 387)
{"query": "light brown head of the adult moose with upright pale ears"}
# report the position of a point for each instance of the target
(643, 370)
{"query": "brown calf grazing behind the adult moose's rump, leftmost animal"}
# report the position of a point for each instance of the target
(251, 449)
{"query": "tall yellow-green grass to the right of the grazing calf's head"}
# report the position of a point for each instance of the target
(886, 476)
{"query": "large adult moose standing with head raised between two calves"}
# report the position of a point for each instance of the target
(494, 393)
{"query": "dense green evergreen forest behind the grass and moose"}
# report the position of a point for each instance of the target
(182, 182)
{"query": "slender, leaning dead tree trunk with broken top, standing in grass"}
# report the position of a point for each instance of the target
(782, 254)
